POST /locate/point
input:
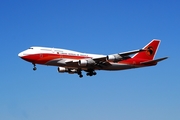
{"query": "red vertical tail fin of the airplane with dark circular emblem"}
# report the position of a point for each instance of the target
(151, 49)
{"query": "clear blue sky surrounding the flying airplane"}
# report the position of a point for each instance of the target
(92, 26)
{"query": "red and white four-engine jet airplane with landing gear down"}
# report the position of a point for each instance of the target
(68, 61)
